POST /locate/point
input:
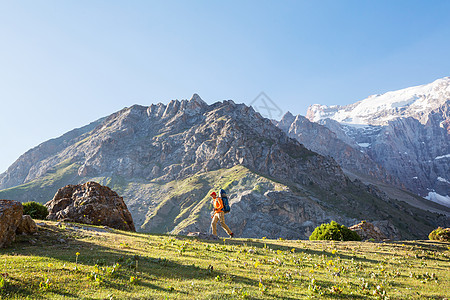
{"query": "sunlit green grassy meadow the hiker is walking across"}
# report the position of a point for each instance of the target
(124, 265)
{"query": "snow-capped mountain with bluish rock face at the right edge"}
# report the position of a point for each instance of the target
(407, 132)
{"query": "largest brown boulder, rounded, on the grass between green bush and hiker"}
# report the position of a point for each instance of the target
(90, 203)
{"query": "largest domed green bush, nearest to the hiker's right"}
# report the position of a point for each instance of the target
(334, 231)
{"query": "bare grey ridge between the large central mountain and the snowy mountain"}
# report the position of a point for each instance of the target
(331, 140)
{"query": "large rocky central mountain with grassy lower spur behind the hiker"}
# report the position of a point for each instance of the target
(165, 159)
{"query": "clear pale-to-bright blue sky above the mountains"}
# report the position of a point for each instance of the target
(64, 64)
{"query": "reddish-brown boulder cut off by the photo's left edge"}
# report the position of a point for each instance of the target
(10, 218)
